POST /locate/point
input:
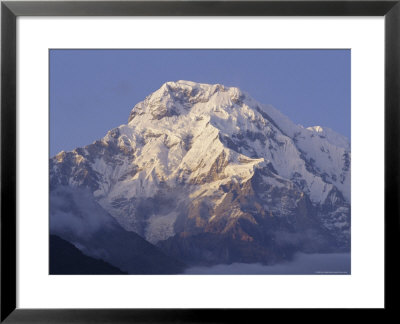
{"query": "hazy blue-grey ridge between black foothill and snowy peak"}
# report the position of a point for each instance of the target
(77, 218)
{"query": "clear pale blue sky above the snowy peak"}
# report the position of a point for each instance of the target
(93, 91)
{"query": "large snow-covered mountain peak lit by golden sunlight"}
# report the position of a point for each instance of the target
(210, 175)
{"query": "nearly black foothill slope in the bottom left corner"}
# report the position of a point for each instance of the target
(67, 259)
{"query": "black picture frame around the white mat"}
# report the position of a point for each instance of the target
(10, 10)
